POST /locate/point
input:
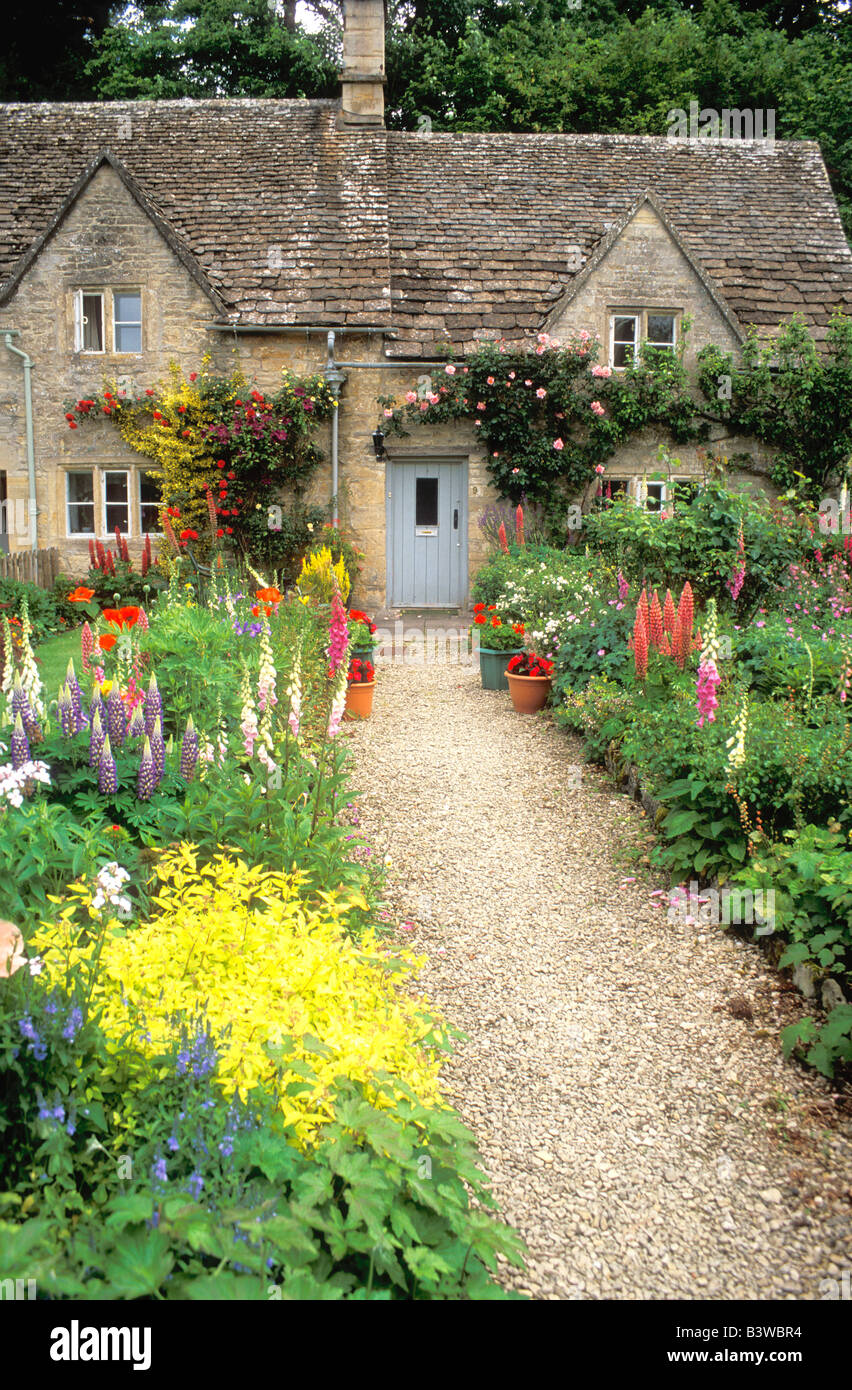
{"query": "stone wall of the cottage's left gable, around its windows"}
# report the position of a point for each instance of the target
(105, 243)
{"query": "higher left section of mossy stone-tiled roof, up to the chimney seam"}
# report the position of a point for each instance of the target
(287, 218)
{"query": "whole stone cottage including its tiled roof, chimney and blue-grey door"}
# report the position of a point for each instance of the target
(305, 234)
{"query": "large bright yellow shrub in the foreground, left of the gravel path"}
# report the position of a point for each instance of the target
(270, 967)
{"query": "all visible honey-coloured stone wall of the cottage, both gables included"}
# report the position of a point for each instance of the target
(109, 243)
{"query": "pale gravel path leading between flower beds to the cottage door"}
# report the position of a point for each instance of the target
(647, 1143)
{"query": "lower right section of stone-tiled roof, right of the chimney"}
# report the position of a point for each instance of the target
(483, 227)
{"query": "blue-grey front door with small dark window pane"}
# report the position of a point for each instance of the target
(427, 534)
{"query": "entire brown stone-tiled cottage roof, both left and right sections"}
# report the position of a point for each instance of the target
(439, 237)
